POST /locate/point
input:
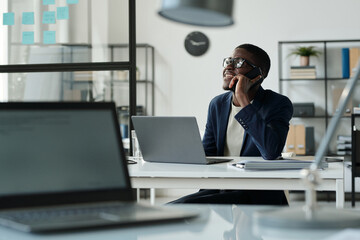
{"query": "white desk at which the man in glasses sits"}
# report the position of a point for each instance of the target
(223, 176)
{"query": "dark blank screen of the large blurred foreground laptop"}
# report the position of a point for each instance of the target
(50, 150)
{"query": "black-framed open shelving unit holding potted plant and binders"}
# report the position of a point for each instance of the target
(323, 90)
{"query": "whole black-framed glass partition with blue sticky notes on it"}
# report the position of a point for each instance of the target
(59, 50)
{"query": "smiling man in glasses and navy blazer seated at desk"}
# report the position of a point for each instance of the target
(245, 121)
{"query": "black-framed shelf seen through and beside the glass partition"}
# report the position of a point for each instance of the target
(116, 82)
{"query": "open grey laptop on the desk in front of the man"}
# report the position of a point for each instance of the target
(171, 140)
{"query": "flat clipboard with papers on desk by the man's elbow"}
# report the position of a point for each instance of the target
(288, 164)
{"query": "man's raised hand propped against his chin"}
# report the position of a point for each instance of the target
(243, 93)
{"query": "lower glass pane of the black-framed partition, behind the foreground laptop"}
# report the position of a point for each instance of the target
(79, 86)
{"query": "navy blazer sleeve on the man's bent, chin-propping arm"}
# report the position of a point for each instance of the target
(267, 126)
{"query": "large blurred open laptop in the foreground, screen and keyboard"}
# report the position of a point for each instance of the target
(63, 166)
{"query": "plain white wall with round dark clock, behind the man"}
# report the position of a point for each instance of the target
(186, 84)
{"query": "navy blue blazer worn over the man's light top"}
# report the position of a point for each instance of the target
(266, 124)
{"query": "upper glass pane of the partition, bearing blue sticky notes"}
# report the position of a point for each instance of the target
(65, 31)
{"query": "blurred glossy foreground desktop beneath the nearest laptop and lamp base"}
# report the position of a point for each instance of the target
(215, 222)
